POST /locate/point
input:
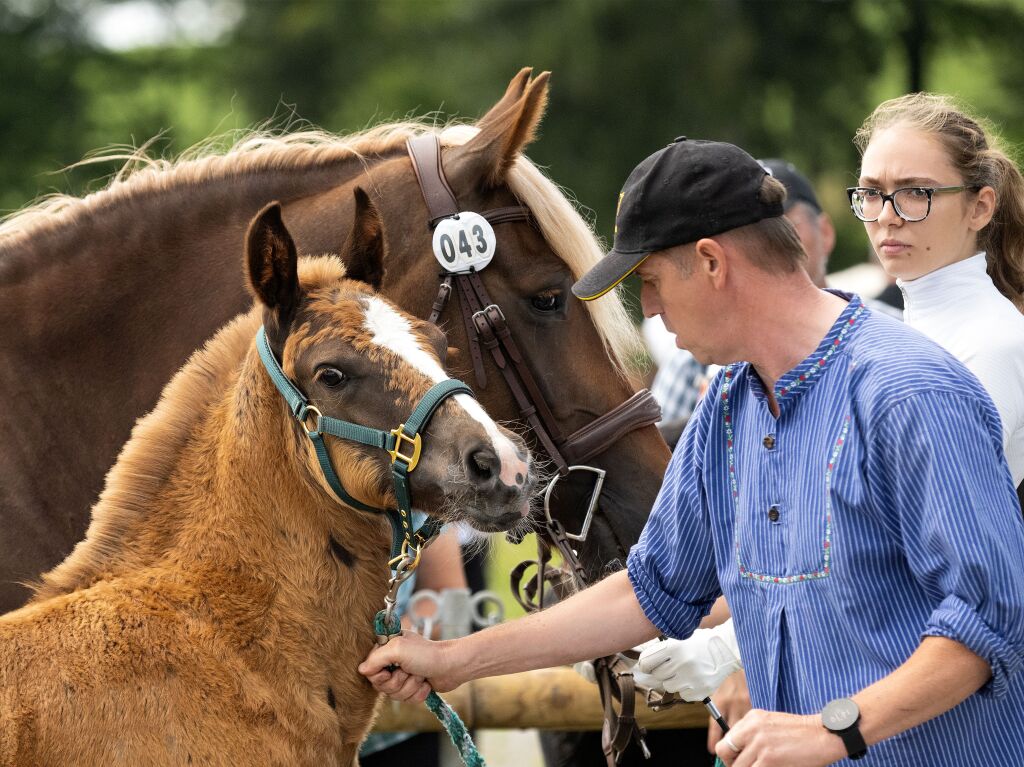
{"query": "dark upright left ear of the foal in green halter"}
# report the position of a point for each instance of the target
(273, 265)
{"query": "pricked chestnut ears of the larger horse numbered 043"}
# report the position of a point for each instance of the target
(504, 133)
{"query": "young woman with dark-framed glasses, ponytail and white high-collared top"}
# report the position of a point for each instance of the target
(945, 210)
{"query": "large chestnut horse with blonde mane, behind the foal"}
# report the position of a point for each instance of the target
(111, 293)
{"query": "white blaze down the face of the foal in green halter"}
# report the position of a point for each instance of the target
(393, 331)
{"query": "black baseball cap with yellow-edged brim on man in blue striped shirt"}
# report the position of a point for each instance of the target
(686, 192)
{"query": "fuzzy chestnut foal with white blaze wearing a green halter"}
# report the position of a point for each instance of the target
(223, 599)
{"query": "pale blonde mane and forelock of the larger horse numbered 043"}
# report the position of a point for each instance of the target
(561, 223)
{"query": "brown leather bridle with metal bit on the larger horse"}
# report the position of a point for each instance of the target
(487, 328)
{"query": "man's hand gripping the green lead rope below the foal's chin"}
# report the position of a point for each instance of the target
(421, 666)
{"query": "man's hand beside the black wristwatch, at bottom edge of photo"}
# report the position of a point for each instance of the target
(771, 740)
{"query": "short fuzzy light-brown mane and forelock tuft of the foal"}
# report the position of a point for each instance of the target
(150, 457)
